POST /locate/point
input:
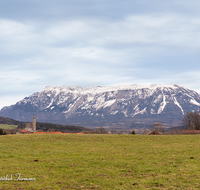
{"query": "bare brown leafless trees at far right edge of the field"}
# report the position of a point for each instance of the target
(192, 120)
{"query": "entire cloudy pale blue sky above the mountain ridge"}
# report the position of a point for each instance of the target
(97, 43)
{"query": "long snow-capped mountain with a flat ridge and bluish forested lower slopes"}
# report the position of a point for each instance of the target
(122, 106)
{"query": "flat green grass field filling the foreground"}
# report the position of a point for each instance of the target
(59, 161)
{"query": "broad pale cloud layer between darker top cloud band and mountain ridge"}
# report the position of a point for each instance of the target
(140, 48)
